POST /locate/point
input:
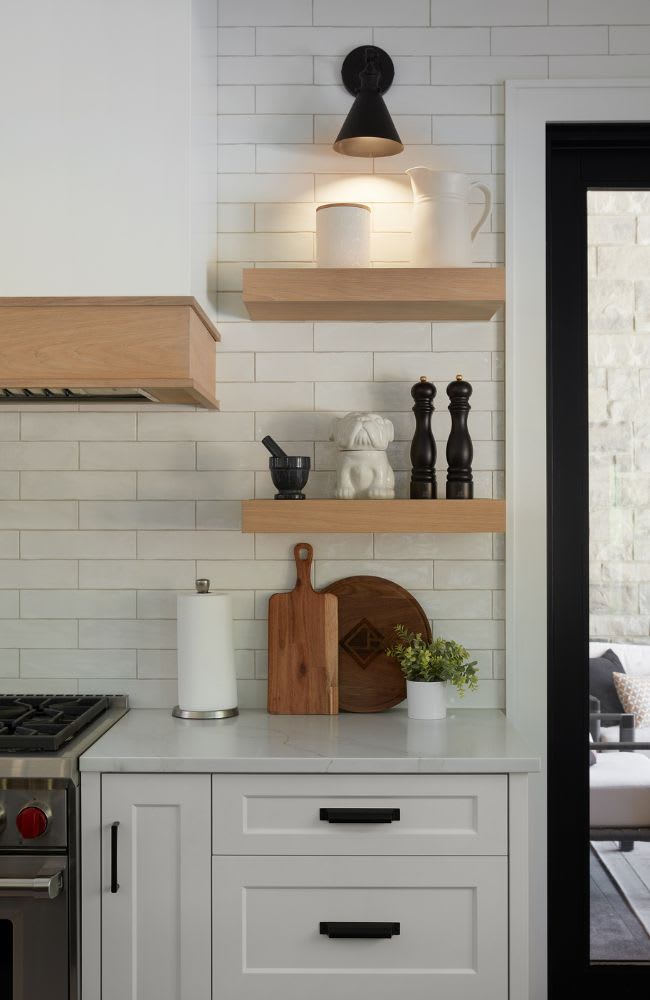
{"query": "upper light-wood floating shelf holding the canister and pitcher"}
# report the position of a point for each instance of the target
(380, 293)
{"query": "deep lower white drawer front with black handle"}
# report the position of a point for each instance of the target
(447, 918)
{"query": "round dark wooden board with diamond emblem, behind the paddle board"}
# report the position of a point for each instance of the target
(369, 608)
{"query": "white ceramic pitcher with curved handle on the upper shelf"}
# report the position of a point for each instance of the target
(442, 235)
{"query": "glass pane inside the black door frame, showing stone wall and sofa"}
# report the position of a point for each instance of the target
(618, 263)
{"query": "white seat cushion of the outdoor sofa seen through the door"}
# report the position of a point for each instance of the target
(619, 790)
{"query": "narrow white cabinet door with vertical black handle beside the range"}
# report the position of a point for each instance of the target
(156, 927)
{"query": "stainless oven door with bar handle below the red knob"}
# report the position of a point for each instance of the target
(34, 927)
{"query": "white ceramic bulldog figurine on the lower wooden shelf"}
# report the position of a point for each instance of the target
(362, 469)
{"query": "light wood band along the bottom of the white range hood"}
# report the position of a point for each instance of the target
(156, 348)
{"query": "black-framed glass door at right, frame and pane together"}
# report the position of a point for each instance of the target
(598, 465)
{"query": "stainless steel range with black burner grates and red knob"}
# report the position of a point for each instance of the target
(41, 740)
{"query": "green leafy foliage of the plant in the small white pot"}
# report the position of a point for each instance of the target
(439, 660)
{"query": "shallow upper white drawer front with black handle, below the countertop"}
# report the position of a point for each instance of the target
(353, 814)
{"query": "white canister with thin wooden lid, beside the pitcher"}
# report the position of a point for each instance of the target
(343, 235)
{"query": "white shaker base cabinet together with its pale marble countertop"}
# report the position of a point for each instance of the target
(306, 858)
